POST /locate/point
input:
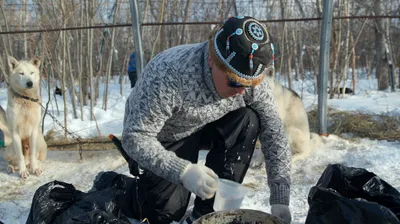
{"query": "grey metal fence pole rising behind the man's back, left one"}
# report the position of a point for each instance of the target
(136, 33)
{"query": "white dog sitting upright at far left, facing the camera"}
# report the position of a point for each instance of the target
(24, 111)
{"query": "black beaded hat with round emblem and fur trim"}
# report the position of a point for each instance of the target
(241, 47)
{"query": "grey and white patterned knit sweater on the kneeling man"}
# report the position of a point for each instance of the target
(175, 97)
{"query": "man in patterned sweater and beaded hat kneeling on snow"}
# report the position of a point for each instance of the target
(214, 93)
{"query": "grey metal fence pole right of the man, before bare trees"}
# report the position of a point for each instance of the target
(324, 67)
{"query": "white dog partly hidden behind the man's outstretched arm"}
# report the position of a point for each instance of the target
(295, 120)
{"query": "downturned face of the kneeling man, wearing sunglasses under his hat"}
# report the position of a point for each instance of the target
(221, 82)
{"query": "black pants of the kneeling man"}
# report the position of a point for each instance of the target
(232, 141)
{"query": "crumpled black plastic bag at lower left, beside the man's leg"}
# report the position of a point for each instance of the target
(59, 202)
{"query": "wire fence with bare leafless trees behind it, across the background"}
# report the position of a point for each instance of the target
(84, 43)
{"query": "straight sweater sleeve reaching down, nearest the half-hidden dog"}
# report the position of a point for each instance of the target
(274, 145)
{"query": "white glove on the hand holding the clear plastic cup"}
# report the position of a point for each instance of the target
(200, 180)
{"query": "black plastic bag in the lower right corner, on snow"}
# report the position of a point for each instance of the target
(352, 195)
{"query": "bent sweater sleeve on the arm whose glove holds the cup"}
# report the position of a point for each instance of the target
(150, 104)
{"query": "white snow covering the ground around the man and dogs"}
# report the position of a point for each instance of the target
(380, 157)
